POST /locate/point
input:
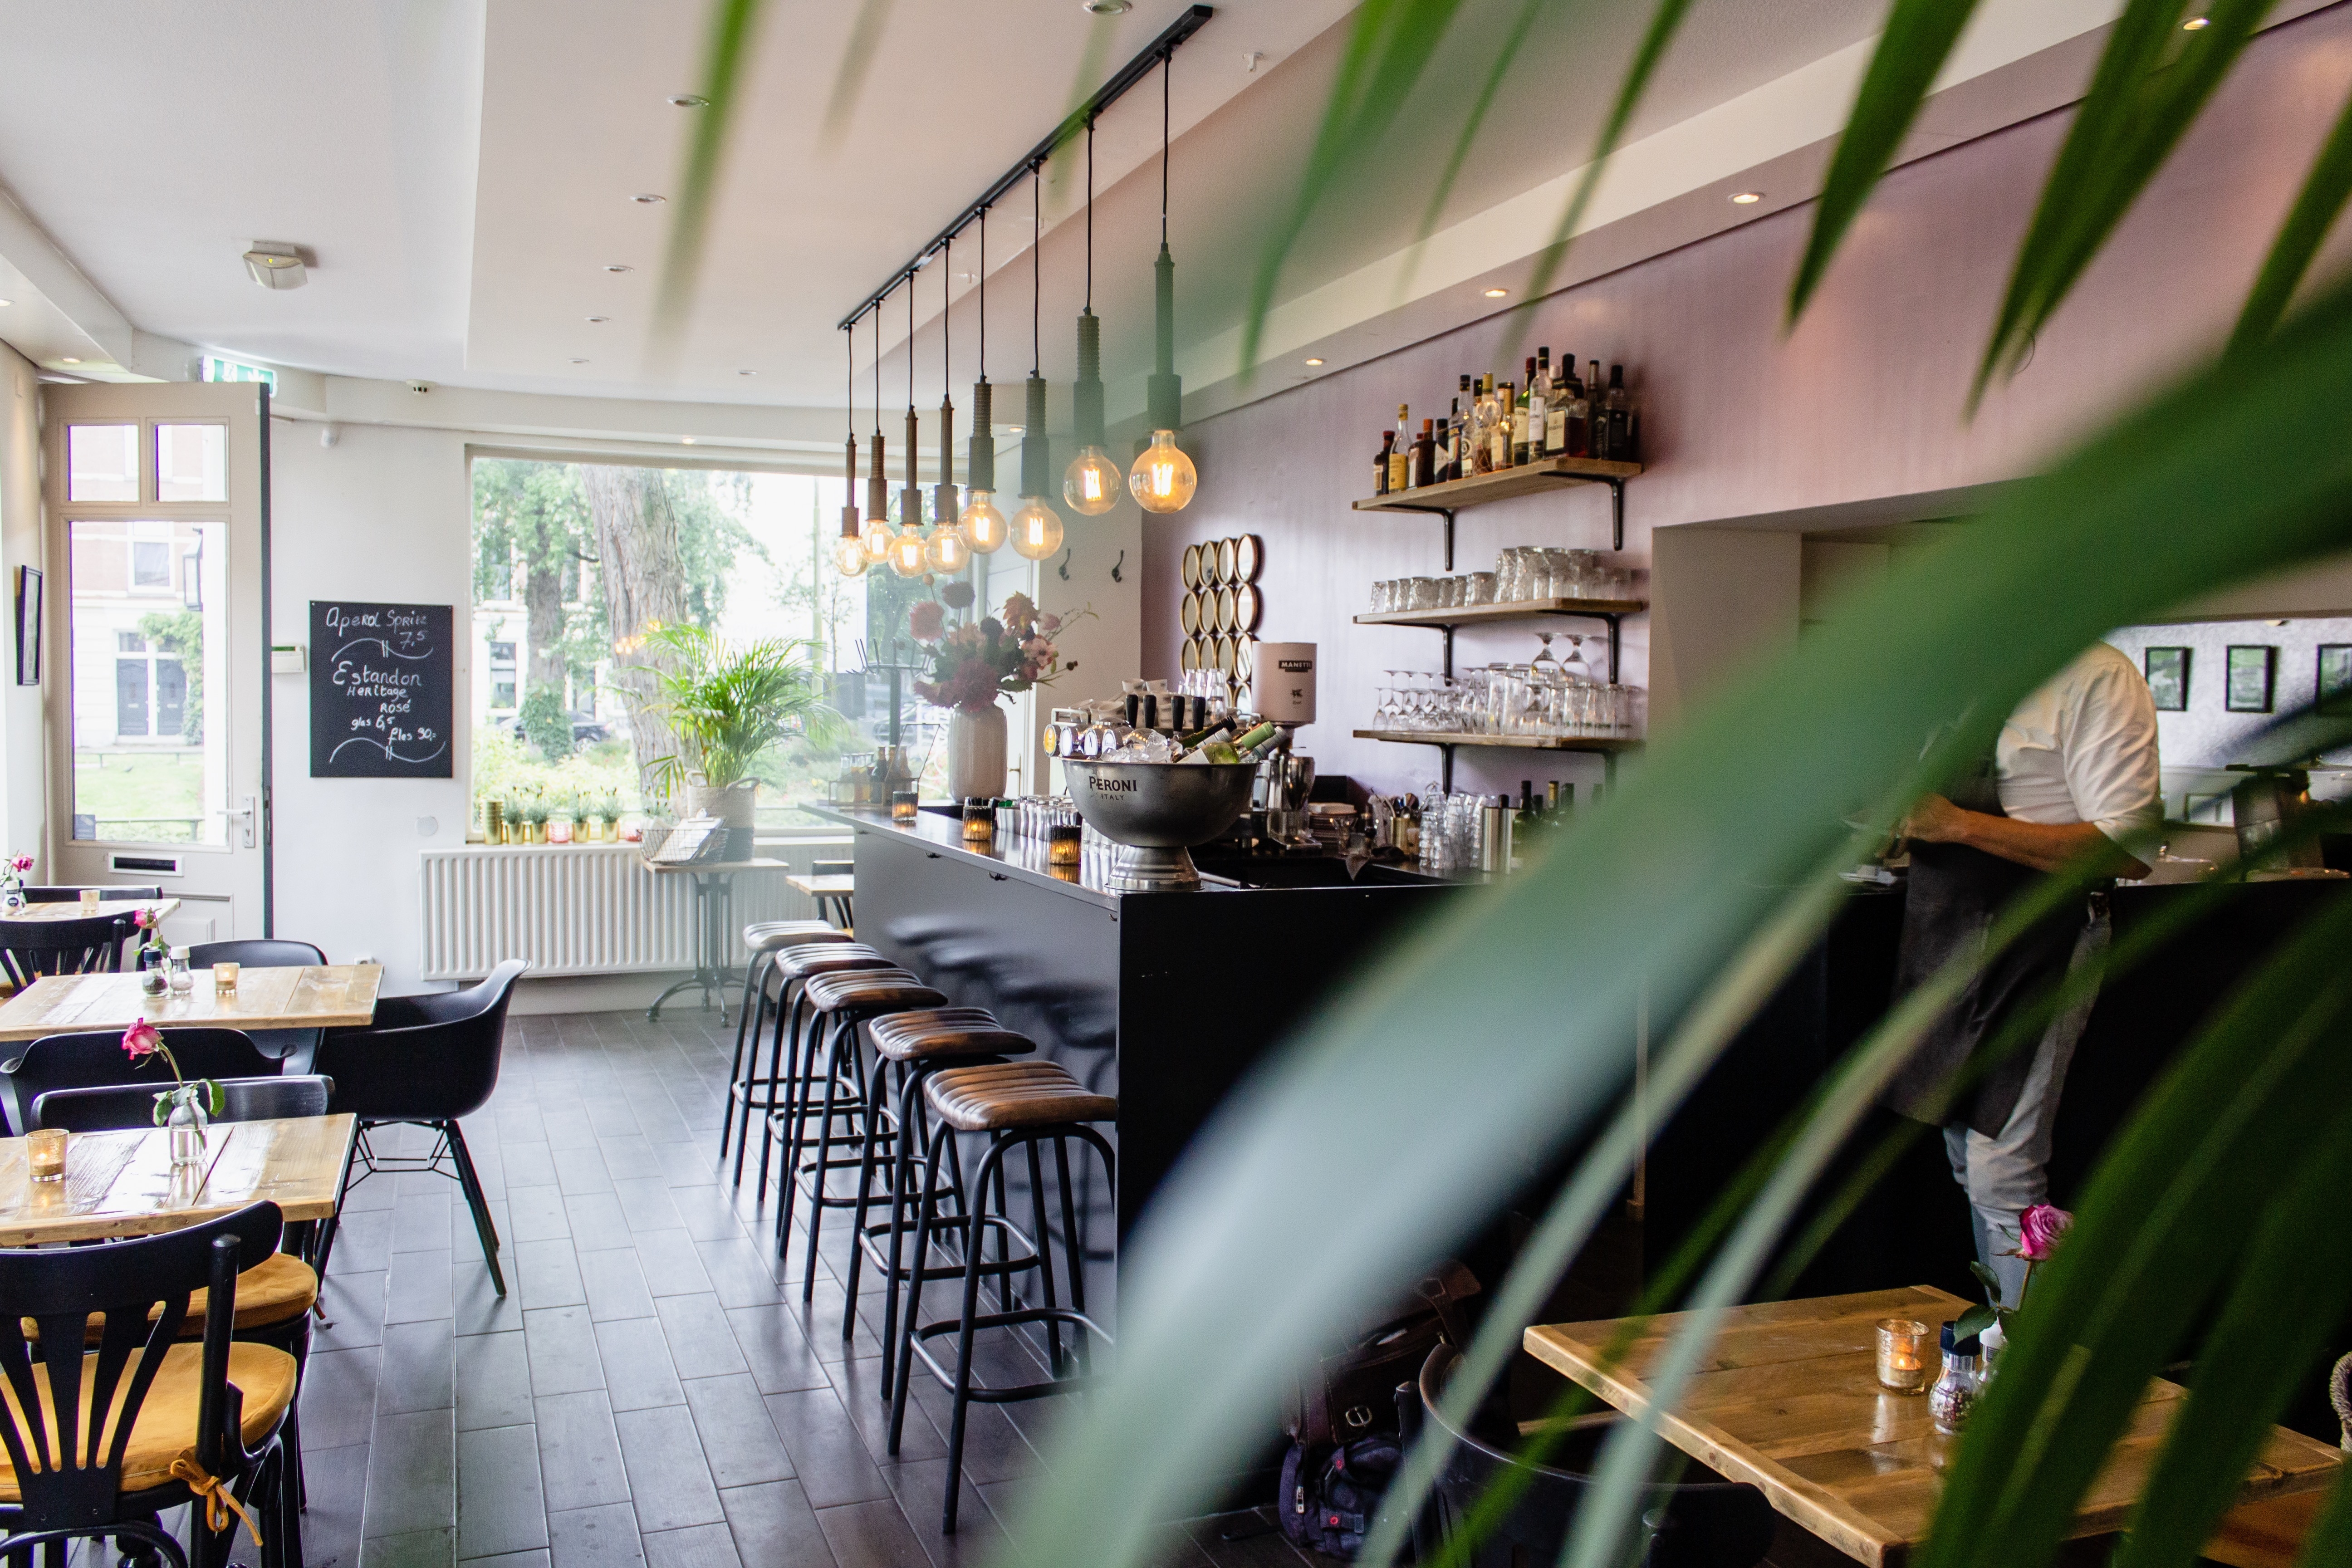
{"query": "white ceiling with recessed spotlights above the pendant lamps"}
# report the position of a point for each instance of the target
(462, 173)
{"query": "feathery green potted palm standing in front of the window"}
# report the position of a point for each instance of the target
(730, 704)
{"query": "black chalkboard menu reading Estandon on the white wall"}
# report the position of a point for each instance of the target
(382, 690)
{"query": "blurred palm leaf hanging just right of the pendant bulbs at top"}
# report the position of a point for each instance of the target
(1389, 46)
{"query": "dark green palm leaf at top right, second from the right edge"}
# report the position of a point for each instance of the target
(2149, 88)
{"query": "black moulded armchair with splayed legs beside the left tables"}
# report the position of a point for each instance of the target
(425, 1061)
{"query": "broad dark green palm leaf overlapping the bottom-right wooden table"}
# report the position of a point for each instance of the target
(2151, 1245)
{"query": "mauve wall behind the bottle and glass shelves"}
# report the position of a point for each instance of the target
(1862, 403)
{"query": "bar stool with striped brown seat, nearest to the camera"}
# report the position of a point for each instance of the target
(1020, 1106)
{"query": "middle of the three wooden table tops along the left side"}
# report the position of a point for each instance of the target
(305, 998)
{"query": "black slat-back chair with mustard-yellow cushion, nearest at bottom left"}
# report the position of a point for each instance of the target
(194, 1421)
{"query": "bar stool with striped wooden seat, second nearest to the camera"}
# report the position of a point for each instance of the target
(911, 1047)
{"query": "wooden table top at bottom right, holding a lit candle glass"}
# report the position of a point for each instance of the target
(1789, 1402)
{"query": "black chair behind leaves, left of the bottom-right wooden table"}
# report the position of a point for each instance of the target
(1711, 1525)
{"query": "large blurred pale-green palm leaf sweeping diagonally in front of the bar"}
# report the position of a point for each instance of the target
(1659, 883)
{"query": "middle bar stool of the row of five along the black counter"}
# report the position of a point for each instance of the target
(838, 1005)
